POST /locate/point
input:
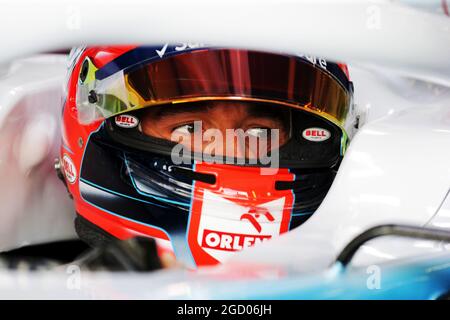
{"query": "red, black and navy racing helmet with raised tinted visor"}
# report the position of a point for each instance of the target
(126, 183)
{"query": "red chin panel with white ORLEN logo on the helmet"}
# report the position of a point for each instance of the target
(242, 209)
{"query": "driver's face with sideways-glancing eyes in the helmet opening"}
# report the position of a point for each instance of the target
(178, 120)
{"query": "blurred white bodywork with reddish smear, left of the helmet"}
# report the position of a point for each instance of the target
(35, 205)
